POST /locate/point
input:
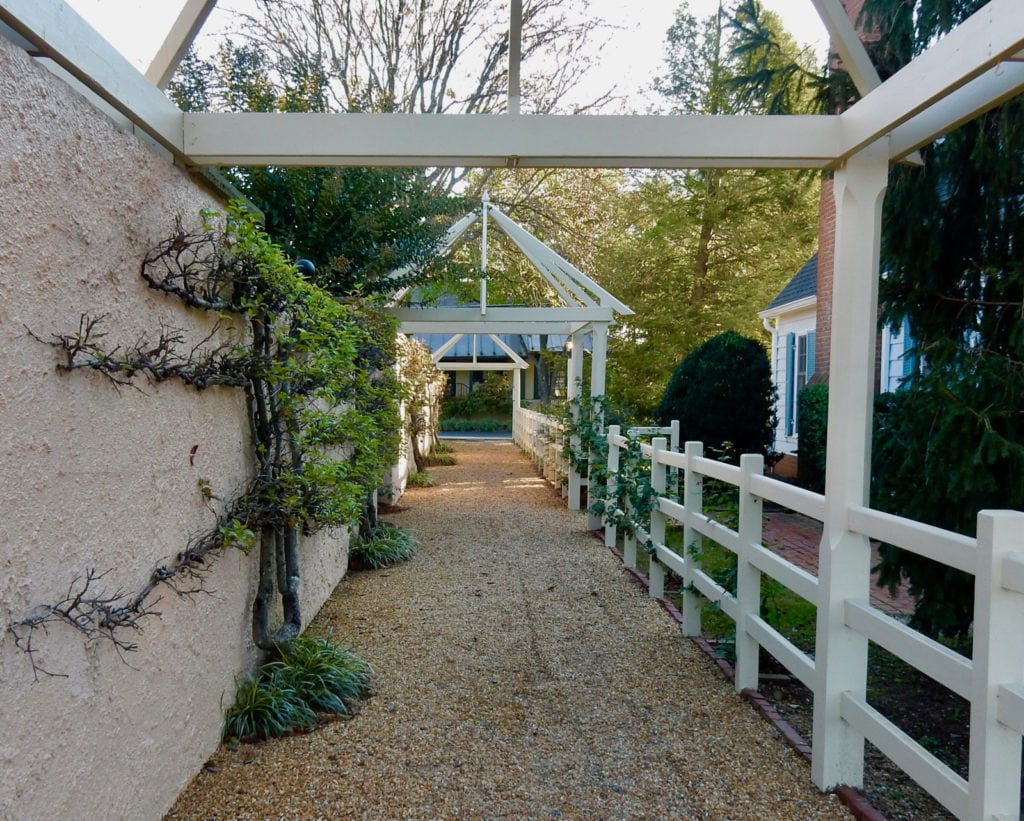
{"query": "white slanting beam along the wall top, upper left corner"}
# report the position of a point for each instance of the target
(59, 33)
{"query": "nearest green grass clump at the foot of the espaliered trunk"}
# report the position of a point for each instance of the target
(309, 679)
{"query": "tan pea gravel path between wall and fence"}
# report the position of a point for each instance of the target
(521, 674)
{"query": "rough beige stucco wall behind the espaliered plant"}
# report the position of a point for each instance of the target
(97, 479)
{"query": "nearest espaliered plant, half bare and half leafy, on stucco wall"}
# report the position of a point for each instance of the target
(323, 398)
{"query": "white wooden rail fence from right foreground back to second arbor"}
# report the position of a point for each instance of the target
(993, 682)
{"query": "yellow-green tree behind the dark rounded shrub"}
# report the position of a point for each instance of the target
(701, 252)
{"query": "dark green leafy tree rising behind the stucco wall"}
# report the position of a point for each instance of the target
(358, 225)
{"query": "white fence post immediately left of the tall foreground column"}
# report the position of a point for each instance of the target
(748, 577)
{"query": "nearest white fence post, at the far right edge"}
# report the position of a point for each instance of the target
(998, 659)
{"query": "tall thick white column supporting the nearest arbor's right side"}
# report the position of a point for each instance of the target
(844, 570)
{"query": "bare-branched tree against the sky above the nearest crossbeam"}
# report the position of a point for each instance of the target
(433, 57)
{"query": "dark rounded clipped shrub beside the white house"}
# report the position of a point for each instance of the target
(722, 396)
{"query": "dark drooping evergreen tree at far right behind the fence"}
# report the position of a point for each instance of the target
(951, 443)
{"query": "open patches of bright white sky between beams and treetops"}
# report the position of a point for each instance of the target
(629, 61)
